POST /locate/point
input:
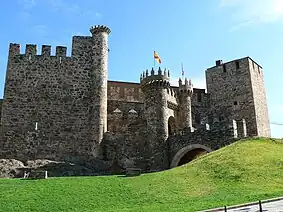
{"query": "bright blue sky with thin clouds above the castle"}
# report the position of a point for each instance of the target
(195, 32)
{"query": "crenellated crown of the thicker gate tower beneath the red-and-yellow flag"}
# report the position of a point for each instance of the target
(160, 77)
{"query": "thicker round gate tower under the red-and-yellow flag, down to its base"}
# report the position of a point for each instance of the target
(155, 88)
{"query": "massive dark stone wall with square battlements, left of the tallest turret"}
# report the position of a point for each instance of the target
(57, 93)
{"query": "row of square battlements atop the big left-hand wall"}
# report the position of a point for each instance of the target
(31, 50)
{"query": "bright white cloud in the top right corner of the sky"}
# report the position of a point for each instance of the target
(248, 12)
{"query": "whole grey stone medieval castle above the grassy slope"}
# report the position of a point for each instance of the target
(64, 108)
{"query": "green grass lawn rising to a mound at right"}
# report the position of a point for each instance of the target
(242, 172)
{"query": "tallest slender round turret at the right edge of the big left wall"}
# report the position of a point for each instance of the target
(100, 77)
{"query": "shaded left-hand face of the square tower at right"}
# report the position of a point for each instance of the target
(231, 96)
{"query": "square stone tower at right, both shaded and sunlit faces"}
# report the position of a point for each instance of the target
(237, 91)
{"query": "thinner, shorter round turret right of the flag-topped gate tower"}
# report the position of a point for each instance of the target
(185, 93)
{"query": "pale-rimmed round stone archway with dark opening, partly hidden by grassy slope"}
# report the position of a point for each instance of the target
(189, 153)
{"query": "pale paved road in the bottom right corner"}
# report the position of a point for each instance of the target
(276, 206)
